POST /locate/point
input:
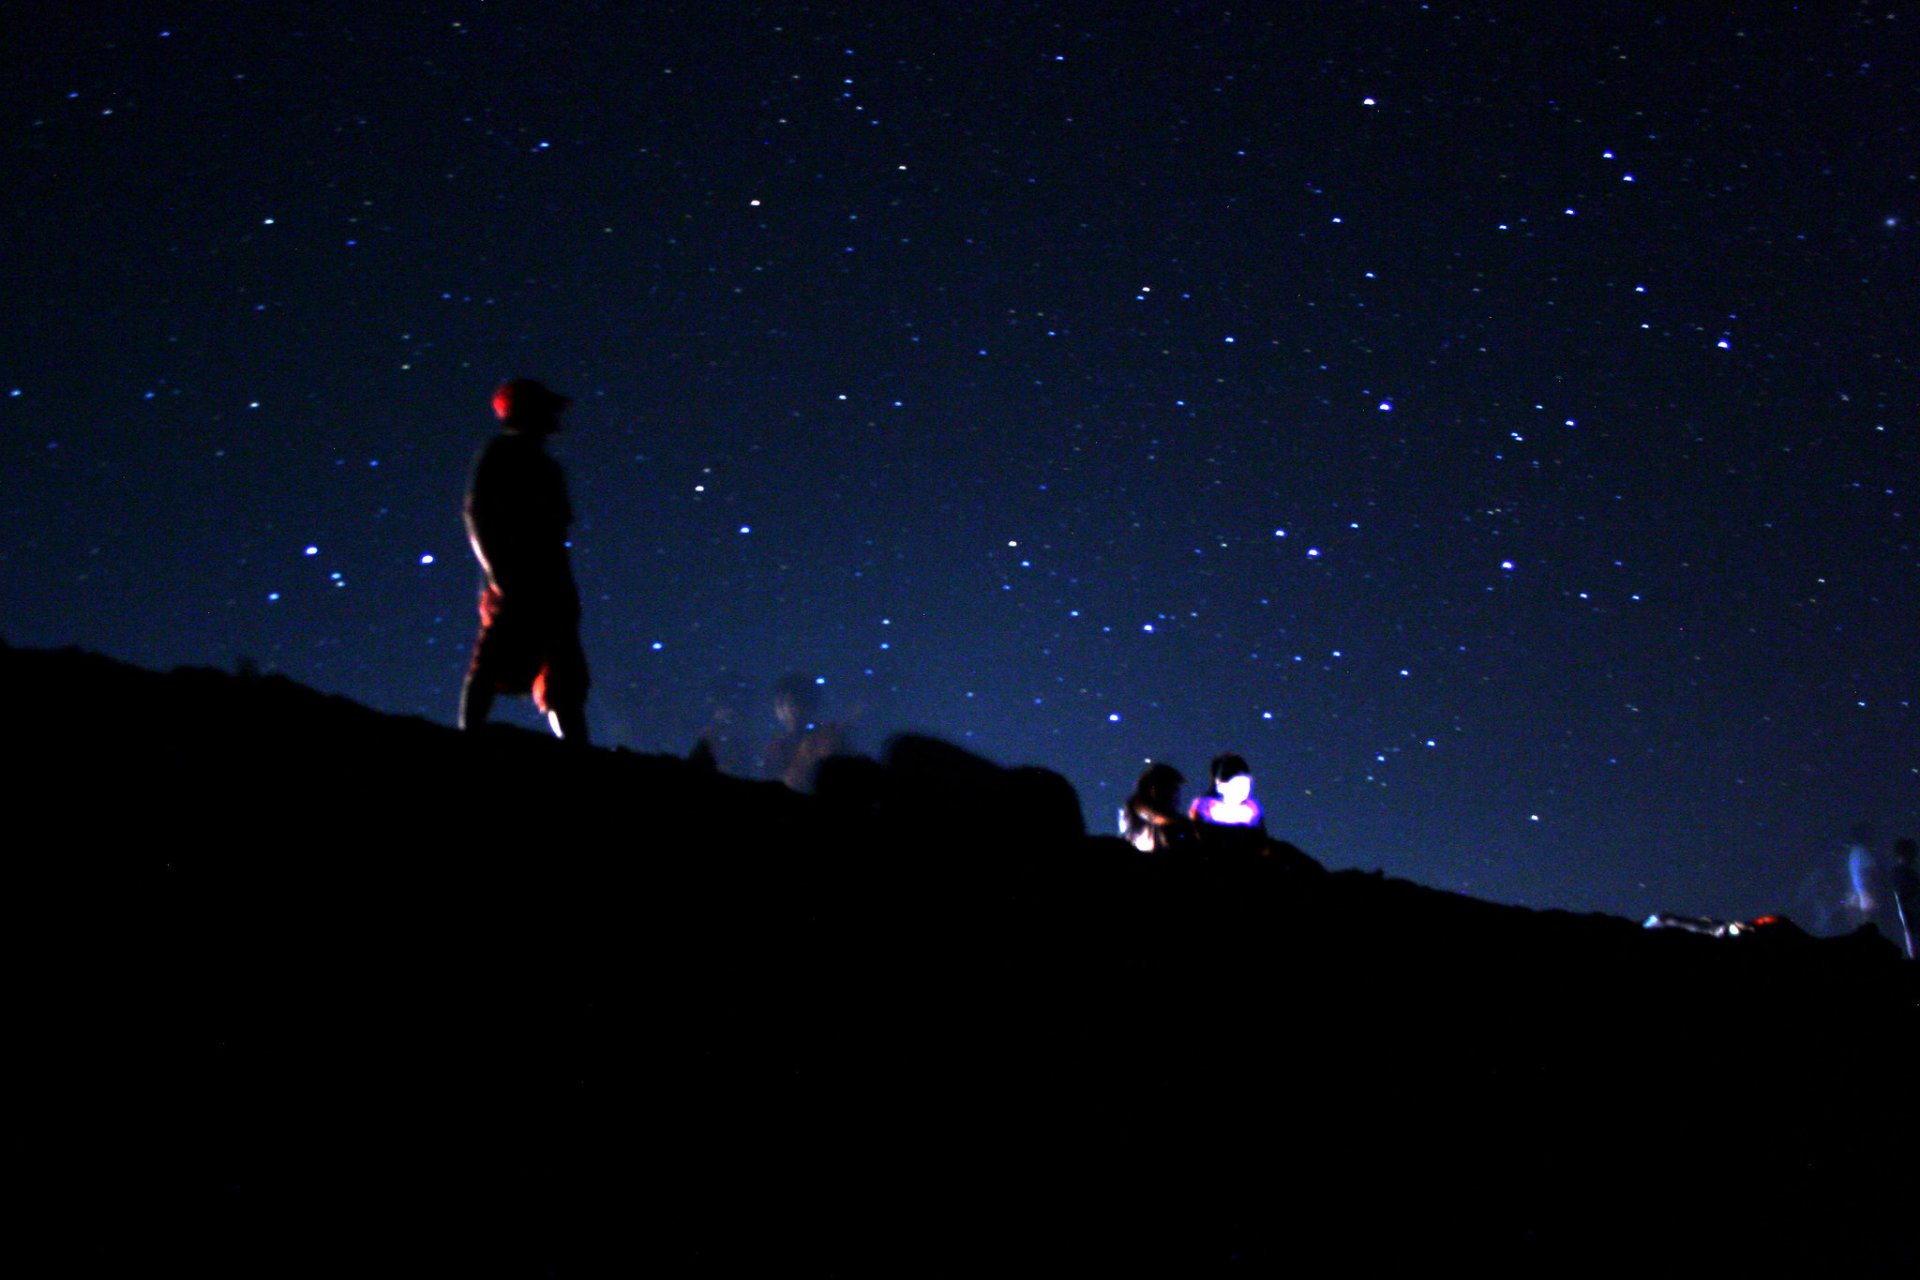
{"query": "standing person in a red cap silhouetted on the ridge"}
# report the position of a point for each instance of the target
(517, 517)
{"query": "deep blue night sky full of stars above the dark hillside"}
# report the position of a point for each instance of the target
(1495, 421)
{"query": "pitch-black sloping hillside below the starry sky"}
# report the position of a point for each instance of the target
(300, 982)
